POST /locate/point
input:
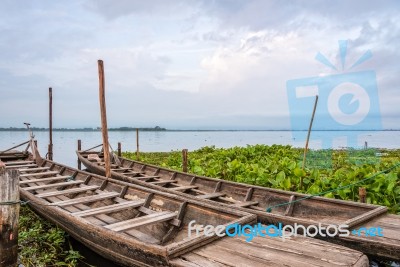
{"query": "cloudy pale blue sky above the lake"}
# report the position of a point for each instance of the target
(204, 64)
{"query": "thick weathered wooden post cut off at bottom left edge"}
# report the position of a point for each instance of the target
(9, 192)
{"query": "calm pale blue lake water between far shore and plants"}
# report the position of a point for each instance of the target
(65, 143)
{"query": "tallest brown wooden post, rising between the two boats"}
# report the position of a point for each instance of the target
(103, 112)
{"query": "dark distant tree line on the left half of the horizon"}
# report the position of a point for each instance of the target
(85, 129)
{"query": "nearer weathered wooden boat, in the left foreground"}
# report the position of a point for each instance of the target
(139, 226)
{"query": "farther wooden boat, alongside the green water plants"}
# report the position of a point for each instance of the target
(256, 200)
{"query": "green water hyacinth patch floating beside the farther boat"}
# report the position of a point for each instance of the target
(280, 167)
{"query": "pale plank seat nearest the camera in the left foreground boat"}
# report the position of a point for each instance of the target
(140, 221)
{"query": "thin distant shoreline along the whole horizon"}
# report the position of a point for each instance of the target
(159, 129)
